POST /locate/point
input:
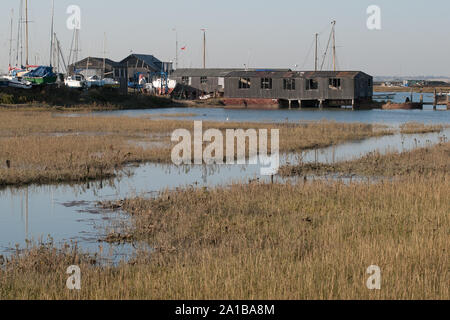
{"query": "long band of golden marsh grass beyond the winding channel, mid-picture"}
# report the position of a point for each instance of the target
(41, 147)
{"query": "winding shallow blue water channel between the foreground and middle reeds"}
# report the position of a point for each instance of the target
(69, 213)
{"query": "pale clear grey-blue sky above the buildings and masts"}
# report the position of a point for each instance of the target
(413, 40)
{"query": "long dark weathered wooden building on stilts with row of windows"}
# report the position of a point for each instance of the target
(310, 88)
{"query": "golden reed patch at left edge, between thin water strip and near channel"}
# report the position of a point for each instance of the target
(41, 160)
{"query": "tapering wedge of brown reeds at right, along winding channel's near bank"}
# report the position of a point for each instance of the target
(423, 161)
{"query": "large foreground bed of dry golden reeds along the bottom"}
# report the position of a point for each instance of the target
(304, 241)
